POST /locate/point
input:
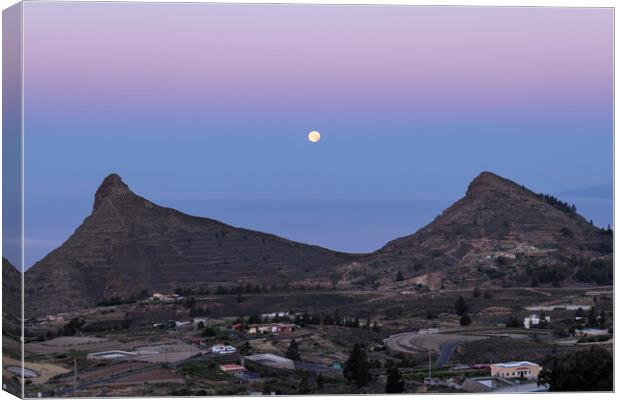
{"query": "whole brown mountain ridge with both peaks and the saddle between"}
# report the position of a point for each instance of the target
(129, 245)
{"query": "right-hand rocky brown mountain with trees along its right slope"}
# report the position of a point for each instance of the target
(498, 226)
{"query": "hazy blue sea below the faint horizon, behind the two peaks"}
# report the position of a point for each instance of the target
(349, 225)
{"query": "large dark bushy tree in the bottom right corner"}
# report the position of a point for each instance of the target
(589, 370)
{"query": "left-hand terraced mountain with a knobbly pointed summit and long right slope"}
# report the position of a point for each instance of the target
(128, 245)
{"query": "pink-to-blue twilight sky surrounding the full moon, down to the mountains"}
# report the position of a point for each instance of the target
(206, 108)
